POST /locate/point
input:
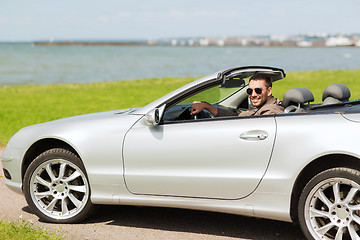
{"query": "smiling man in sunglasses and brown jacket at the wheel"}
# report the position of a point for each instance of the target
(260, 95)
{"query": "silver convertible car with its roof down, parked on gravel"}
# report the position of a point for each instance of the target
(300, 166)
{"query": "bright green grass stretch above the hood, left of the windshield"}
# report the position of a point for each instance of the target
(21, 106)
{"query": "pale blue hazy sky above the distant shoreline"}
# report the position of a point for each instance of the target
(38, 20)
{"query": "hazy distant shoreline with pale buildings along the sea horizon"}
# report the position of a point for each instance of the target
(297, 40)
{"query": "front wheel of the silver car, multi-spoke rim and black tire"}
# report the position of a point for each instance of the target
(56, 187)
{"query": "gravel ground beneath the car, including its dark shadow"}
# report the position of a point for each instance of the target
(127, 222)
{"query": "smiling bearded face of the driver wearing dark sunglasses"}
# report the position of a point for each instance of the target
(259, 99)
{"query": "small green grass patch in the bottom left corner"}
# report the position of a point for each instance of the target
(25, 231)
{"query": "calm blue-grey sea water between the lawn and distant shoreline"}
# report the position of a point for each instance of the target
(26, 63)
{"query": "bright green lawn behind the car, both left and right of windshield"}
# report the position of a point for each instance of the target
(21, 106)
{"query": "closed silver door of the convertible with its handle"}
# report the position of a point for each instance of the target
(219, 158)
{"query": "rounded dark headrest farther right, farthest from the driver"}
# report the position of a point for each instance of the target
(336, 93)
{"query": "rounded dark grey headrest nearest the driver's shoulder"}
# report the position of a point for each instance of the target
(298, 95)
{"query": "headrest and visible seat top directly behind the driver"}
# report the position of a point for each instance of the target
(294, 100)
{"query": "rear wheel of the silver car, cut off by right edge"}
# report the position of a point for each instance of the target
(329, 205)
